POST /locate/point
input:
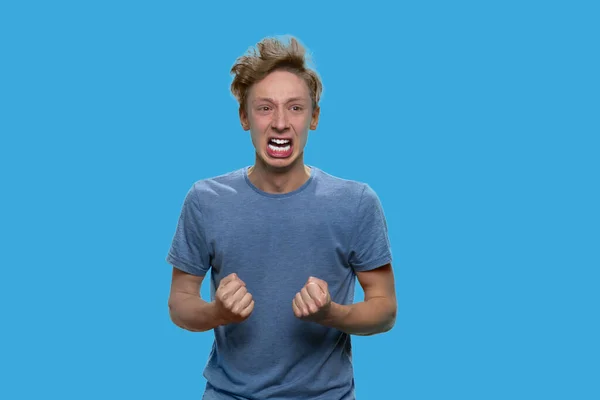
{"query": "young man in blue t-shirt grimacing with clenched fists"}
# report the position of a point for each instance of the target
(284, 242)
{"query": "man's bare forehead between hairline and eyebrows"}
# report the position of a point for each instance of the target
(280, 85)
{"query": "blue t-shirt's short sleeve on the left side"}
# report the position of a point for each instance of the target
(189, 251)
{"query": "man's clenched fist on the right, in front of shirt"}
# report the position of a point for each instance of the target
(313, 301)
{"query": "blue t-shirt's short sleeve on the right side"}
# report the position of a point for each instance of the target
(370, 244)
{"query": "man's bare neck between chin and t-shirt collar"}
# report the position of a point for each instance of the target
(278, 180)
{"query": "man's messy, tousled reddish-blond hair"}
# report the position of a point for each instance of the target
(269, 55)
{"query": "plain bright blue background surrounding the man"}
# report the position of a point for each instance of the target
(475, 122)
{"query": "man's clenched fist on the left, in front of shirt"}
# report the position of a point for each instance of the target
(233, 302)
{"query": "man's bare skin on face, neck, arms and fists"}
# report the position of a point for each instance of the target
(280, 105)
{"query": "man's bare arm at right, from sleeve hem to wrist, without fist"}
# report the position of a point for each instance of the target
(376, 314)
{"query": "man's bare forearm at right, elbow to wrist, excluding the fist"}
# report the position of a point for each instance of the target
(370, 317)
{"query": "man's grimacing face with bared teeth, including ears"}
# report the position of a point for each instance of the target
(279, 114)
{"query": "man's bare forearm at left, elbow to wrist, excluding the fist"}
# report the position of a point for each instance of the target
(194, 314)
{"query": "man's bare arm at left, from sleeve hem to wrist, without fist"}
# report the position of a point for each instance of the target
(186, 308)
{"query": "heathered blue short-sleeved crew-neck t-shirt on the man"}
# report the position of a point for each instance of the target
(328, 228)
